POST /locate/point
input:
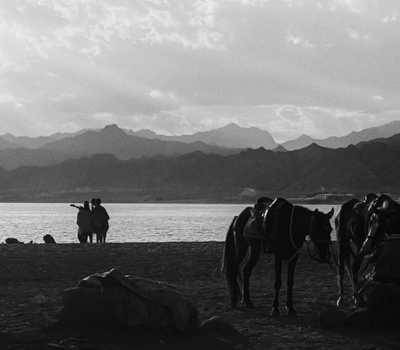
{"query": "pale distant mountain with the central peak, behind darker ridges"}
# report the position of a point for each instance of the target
(229, 136)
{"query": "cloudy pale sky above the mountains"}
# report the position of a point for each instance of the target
(316, 67)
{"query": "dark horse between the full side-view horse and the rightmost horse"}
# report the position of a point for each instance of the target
(351, 231)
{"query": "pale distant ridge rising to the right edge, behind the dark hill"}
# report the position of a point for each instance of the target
(355, 137)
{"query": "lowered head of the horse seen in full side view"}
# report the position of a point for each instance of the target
(320, 233)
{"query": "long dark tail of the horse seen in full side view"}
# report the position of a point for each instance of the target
(230, 263)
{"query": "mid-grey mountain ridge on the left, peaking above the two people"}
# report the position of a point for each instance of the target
(110, 140)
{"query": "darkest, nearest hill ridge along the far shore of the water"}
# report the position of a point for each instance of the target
(373, 166)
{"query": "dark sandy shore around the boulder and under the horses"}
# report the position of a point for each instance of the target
(32, 278)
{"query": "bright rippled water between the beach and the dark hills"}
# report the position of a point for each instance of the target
(129, 222)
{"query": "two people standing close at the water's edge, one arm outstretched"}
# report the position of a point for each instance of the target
(91, 221)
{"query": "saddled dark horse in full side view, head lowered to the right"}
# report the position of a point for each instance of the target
(242, 249)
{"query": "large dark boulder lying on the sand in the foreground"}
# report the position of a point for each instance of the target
(111, 298)
